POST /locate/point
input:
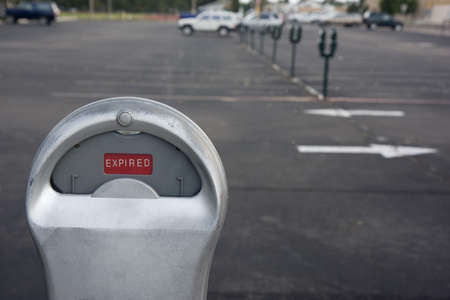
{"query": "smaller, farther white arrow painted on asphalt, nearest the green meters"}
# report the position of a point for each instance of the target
(342, 113)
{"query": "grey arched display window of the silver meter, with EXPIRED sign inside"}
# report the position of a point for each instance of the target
(113, 155)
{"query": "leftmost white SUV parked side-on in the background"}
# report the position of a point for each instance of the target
(221, 22)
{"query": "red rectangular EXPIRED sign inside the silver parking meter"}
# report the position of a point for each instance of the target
(128, 164)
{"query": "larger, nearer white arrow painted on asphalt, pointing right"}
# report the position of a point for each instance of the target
(387, 151)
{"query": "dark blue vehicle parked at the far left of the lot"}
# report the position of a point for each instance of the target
(44, 12)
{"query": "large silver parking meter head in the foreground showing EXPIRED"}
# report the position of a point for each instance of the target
(126, 200)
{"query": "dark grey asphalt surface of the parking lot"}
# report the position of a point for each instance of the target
(361, 224)
